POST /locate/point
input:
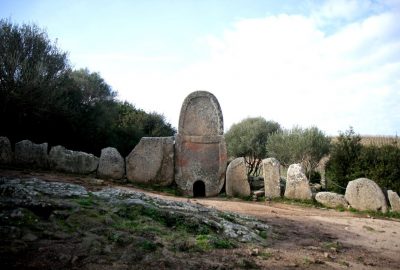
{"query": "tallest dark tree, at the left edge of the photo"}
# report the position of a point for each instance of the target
(32, 72)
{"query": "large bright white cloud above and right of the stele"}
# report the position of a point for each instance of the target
(287, 69)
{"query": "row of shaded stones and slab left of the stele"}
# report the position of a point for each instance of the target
(150, 162)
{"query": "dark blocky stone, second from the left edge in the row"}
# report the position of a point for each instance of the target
(30, 154)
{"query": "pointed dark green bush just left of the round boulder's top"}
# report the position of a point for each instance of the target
(343, 159)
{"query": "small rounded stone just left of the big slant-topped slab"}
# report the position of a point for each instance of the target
(111, 164)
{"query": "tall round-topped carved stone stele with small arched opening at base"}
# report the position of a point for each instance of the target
(200, 149)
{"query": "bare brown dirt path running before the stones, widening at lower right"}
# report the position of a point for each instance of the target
(302, 237)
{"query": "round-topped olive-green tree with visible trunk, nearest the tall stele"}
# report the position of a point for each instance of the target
(248, 139)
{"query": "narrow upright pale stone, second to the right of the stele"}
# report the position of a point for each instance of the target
(272, 176)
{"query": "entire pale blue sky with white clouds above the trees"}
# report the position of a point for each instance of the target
(331, 64)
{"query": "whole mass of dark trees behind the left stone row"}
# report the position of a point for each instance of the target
(43, 99)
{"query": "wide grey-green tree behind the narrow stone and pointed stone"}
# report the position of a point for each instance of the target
(306, 146)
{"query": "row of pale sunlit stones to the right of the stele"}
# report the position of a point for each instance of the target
(361, 194)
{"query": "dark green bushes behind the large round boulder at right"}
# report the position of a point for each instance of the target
(351, 160)
